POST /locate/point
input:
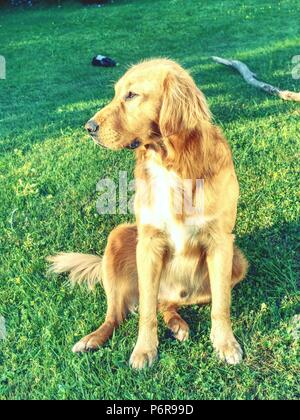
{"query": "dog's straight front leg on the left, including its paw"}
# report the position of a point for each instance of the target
(150, 253)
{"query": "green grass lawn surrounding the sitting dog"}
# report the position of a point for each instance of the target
(48, 174)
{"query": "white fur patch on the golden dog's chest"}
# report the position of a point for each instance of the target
(165, 190)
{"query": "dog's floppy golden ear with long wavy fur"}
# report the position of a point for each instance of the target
(184, 106)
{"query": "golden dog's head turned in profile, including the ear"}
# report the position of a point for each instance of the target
(154, 100)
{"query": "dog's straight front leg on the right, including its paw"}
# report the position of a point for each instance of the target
(219, 260)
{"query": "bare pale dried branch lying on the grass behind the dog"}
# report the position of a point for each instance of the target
(251, 79)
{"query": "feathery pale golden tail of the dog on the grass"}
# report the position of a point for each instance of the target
(82, 268)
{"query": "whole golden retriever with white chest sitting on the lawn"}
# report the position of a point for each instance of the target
(168, 258)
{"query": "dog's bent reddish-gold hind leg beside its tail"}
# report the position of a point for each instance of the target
(120, 284)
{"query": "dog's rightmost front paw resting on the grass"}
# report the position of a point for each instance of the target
(228, 349)
